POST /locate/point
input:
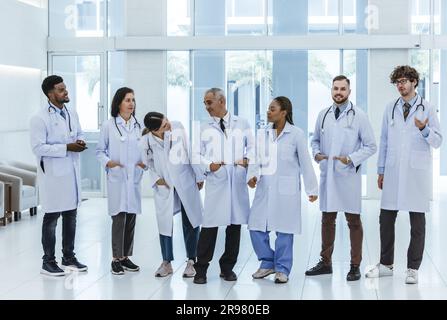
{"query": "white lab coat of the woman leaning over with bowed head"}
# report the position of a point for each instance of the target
(173, 164)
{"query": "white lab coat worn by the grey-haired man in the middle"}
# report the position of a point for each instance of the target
(226, 191)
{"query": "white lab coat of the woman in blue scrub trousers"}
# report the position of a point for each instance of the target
(277, 202)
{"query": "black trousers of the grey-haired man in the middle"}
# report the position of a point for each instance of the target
(207, 243)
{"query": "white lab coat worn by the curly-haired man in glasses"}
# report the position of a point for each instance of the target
(407, 158)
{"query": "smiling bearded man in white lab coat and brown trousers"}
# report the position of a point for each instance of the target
(343, 139)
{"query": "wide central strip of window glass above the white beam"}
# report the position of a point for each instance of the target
(261, 17)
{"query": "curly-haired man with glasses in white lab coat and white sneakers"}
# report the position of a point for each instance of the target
(410, 129)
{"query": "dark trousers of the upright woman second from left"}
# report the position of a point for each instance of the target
(123, 231)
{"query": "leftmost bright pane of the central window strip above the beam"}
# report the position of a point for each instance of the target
(179, 17)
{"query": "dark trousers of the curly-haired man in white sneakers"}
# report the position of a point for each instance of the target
(417, 240)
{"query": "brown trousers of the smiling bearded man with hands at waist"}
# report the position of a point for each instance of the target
(328, 236)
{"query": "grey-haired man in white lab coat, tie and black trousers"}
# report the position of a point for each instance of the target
(226, 146)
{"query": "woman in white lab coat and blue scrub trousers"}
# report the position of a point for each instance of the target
(277, 203)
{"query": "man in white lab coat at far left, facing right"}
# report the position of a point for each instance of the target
(56, 140)
